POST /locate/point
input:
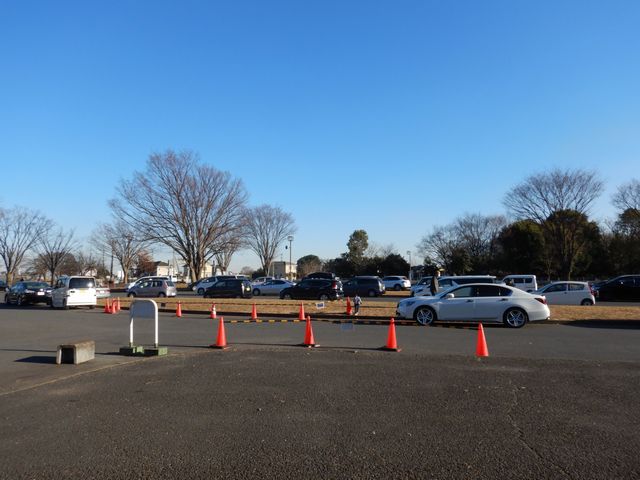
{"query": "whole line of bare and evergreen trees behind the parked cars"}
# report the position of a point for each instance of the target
(203, 215)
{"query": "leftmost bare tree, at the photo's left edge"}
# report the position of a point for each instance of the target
(20, 230)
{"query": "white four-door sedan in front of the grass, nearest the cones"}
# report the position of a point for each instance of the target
(477, 302)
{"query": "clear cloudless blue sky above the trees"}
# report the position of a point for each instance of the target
(390, 116)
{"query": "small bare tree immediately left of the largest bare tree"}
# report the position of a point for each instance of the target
(123, 241)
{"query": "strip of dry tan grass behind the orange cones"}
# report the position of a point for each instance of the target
(378, 309)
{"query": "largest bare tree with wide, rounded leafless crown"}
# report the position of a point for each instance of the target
(190, 207)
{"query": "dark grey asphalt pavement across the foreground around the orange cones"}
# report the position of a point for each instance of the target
(552, 401)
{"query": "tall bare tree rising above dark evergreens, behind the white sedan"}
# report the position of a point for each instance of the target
(551, 199)
